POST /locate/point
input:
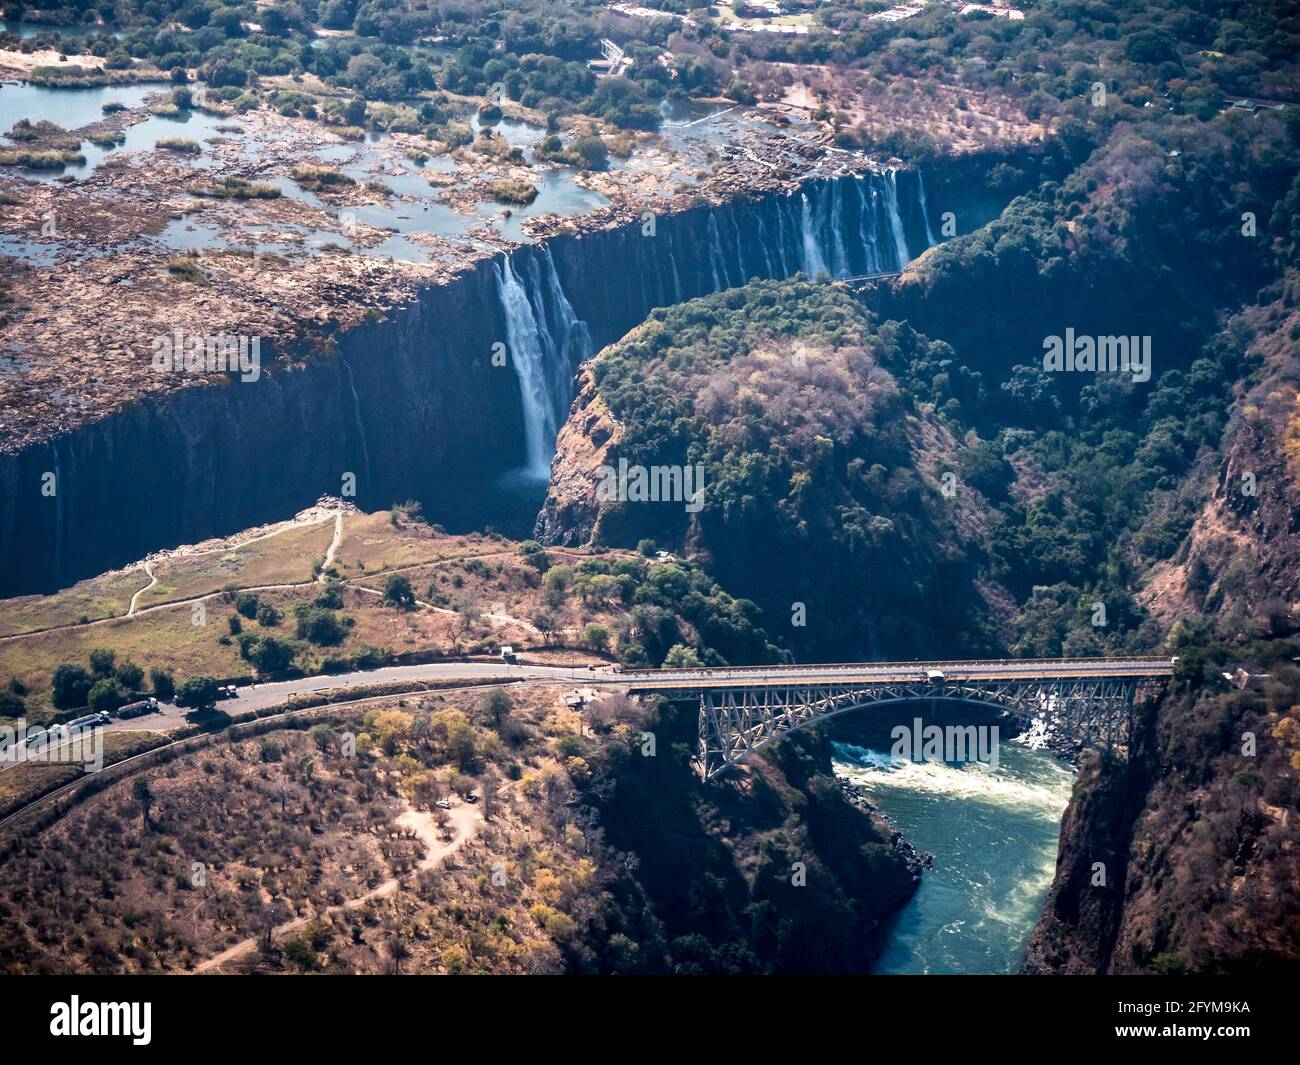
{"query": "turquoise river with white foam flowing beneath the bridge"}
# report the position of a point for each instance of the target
(994, 834)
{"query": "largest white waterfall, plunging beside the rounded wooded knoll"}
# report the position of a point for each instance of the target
(547, 343)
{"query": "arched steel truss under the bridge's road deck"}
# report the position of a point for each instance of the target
(1074, 712)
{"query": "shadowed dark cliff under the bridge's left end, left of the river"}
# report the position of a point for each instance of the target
(769, 871)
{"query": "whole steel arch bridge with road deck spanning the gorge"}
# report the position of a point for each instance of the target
(1077, 703)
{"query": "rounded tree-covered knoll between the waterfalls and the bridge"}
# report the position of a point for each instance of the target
(824, 492)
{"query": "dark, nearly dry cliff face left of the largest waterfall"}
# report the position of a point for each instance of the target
(410, 405)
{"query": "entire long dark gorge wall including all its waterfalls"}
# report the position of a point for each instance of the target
(413, 402)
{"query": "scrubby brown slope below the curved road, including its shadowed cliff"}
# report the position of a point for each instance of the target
(287, 850)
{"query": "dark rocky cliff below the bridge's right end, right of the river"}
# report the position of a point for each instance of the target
(1185, 860)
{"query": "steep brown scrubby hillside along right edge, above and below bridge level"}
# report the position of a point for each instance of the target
(1199, 833)
